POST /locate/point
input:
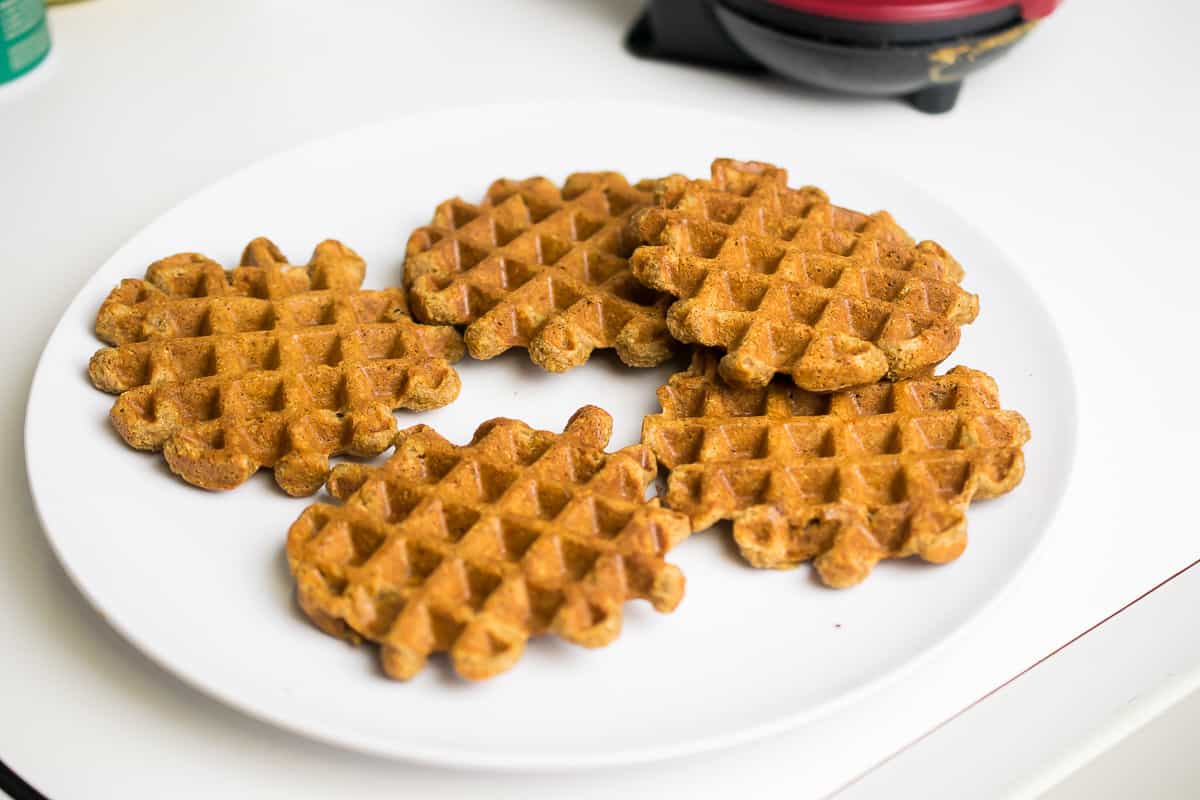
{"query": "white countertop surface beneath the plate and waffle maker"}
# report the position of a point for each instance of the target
(1077, 155)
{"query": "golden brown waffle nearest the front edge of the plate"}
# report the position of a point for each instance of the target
(475, 550)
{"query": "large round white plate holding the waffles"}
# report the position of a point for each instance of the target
(199, 581)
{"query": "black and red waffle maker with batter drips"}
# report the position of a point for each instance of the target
(920, 50)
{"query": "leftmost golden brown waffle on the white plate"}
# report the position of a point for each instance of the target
(269, 365)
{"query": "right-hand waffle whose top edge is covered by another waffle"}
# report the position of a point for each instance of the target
(848, 479)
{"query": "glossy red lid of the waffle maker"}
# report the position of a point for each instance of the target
(914, 11)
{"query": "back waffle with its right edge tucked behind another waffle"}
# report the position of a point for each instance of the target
(541, 268)
